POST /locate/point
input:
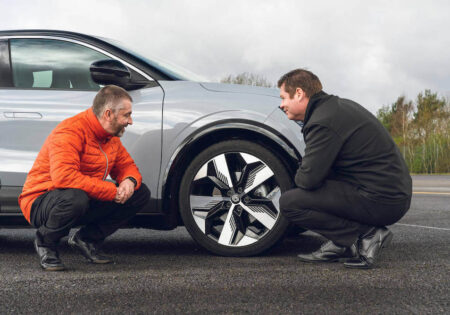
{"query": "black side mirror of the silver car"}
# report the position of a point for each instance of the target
(110, 71)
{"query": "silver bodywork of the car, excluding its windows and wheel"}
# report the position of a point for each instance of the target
(170, 116)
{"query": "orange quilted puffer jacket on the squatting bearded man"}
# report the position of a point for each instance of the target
(79, 153)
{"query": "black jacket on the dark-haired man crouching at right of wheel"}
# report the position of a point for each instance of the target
(346, 142)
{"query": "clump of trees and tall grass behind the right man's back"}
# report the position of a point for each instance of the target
(422, 132)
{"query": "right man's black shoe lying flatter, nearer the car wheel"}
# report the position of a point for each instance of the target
(330, 252)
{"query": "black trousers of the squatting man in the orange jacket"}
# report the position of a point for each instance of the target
(57, 211)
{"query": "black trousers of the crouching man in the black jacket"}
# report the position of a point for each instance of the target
(338, 211)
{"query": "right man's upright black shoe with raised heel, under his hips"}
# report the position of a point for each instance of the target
(369, 247)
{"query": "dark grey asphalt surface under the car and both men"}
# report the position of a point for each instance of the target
(166, 272)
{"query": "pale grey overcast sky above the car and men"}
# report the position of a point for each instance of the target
(371, 52)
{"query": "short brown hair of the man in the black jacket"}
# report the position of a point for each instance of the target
(304, 79)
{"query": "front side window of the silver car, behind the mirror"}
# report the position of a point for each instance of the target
(55, 64)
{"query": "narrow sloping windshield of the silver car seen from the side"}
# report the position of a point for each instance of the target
(165, 66)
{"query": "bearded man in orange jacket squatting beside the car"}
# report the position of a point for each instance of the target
(67, 184)
